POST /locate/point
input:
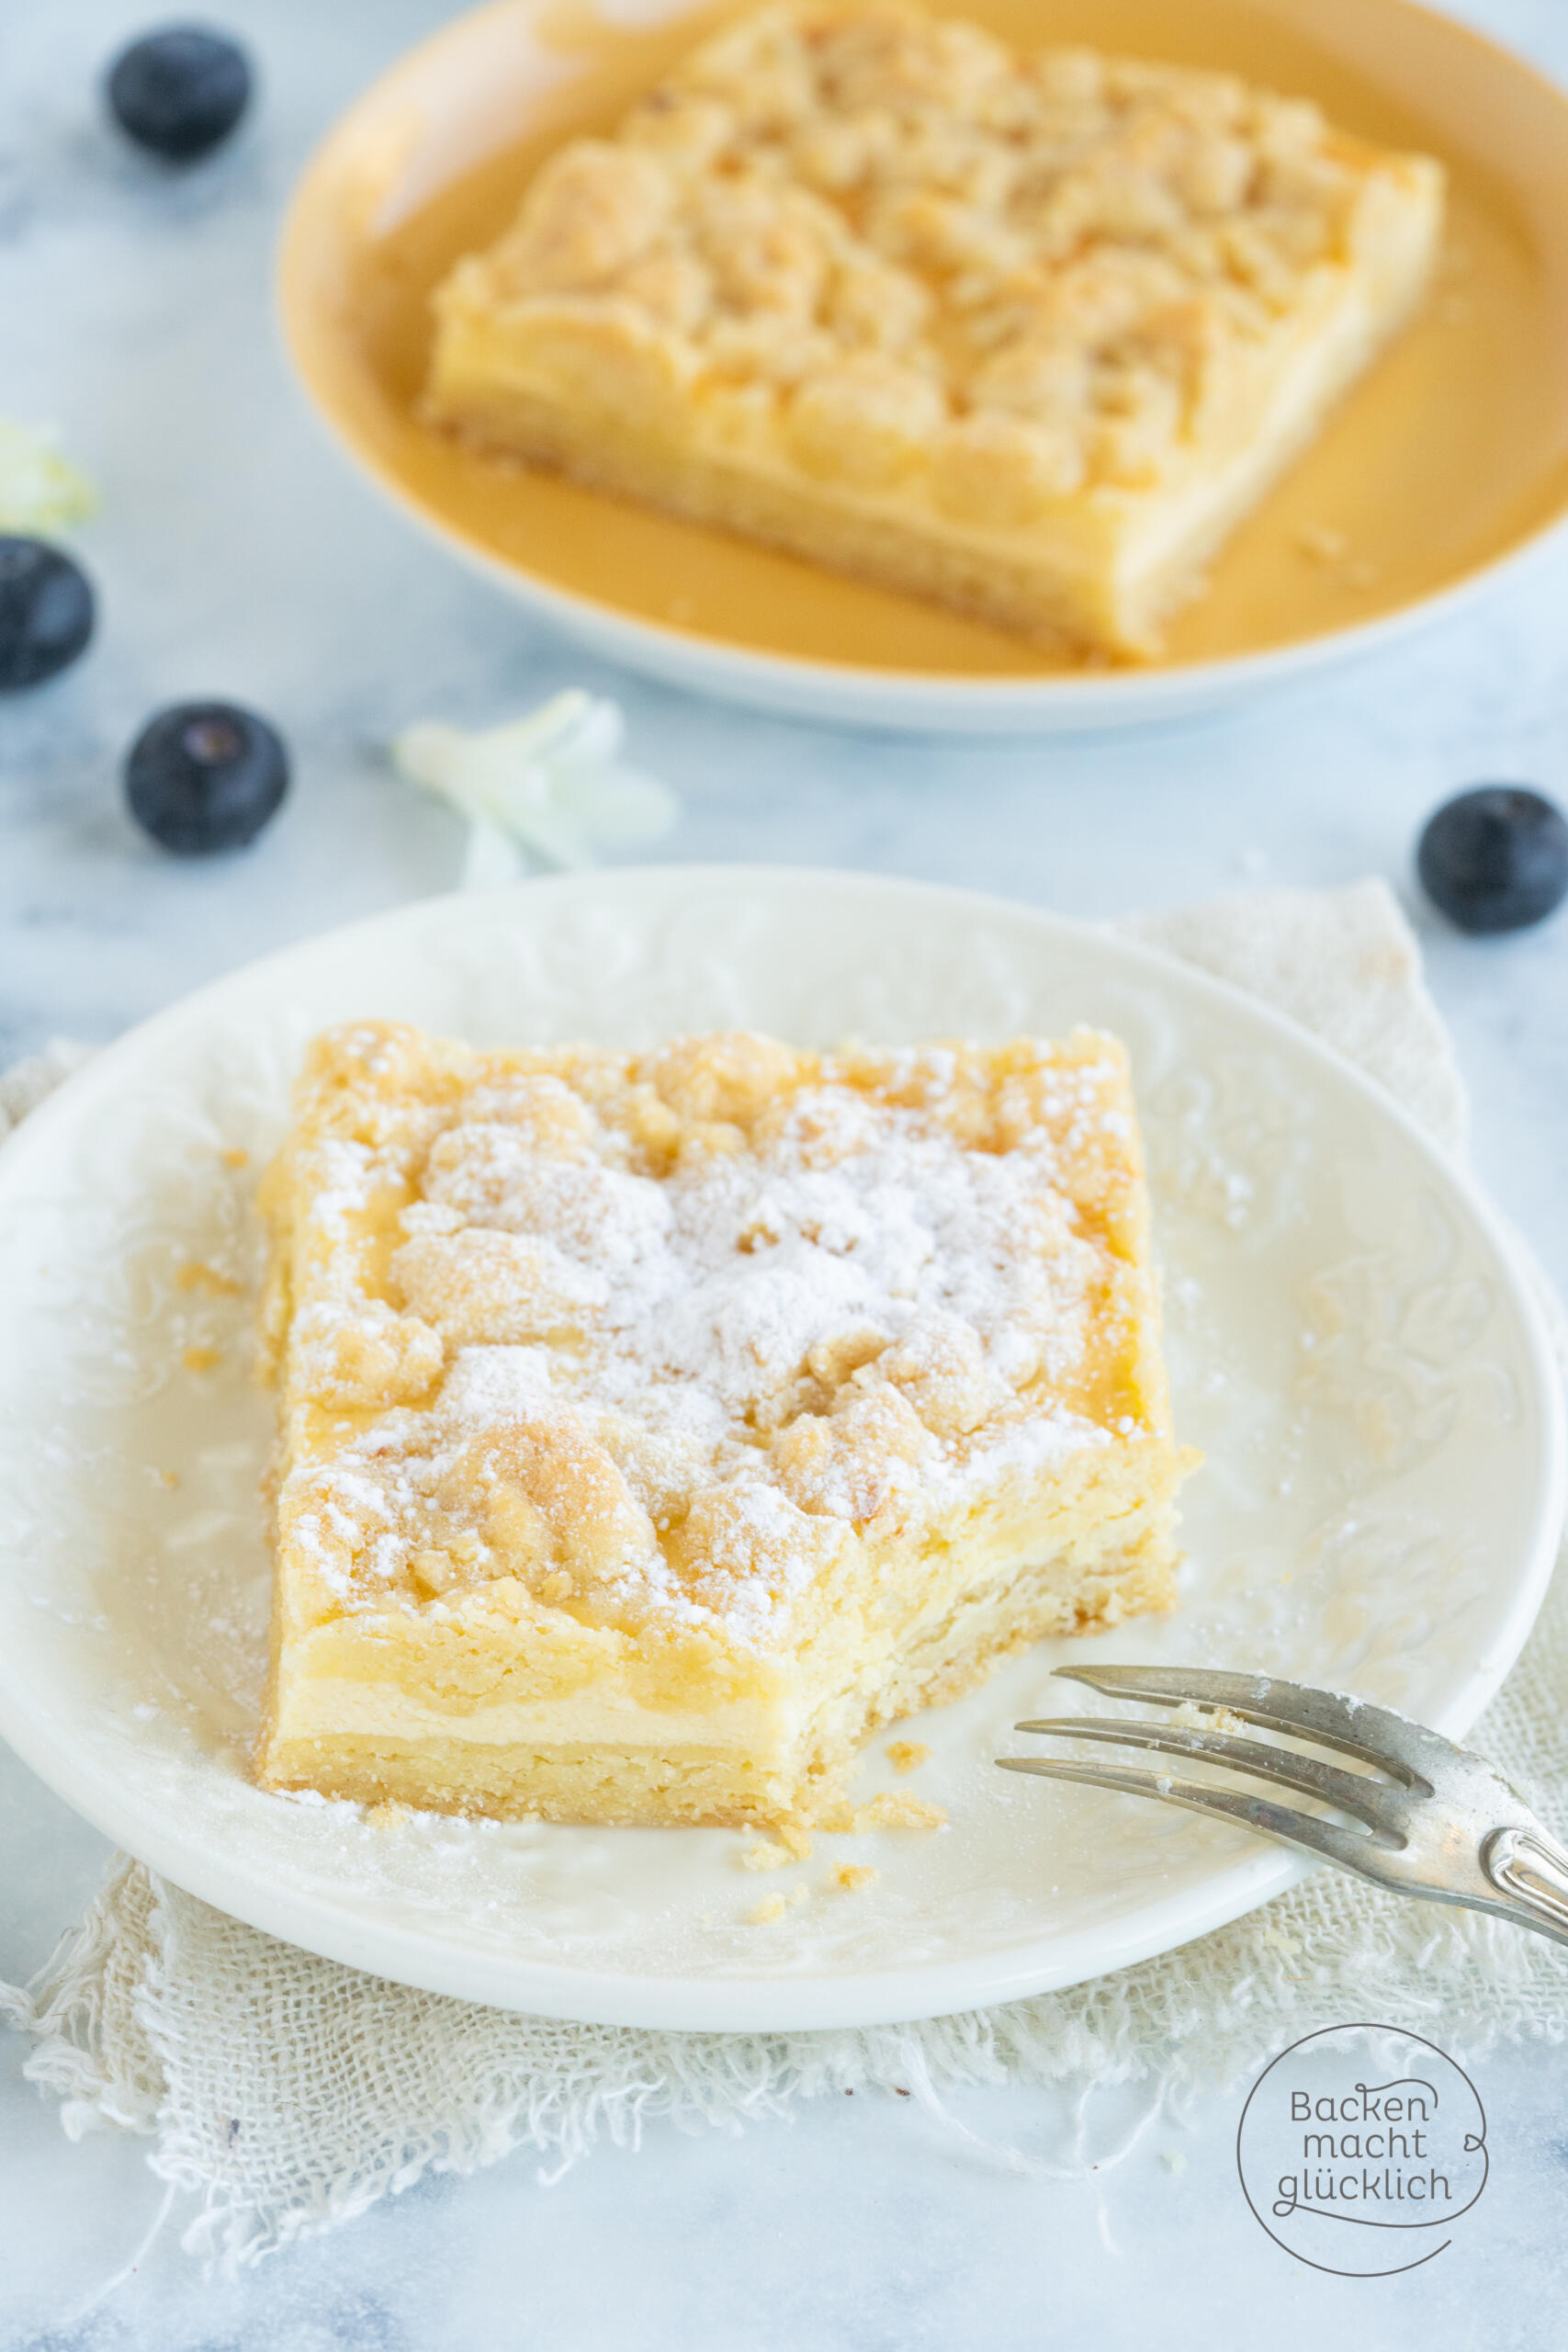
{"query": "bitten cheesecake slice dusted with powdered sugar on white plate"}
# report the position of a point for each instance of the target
(652, 1426)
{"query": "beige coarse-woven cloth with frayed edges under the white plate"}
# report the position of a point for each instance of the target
(286, 2094)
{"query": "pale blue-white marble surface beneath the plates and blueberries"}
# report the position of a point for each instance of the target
(236, 556)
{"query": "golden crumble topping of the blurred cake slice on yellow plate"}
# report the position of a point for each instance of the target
(890, 246)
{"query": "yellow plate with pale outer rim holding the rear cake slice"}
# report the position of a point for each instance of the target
(1447, 460)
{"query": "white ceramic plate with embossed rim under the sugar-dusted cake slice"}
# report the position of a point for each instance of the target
(1348, 1342)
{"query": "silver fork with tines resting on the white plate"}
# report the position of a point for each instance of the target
(1442, 1824)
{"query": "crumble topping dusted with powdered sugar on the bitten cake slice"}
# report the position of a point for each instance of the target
(657, 1335)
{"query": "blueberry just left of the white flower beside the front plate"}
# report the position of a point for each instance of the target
(206, 777)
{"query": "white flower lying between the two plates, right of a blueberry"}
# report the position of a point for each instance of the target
(551, 787)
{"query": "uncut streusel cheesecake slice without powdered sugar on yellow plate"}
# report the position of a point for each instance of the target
(1017, 333)
